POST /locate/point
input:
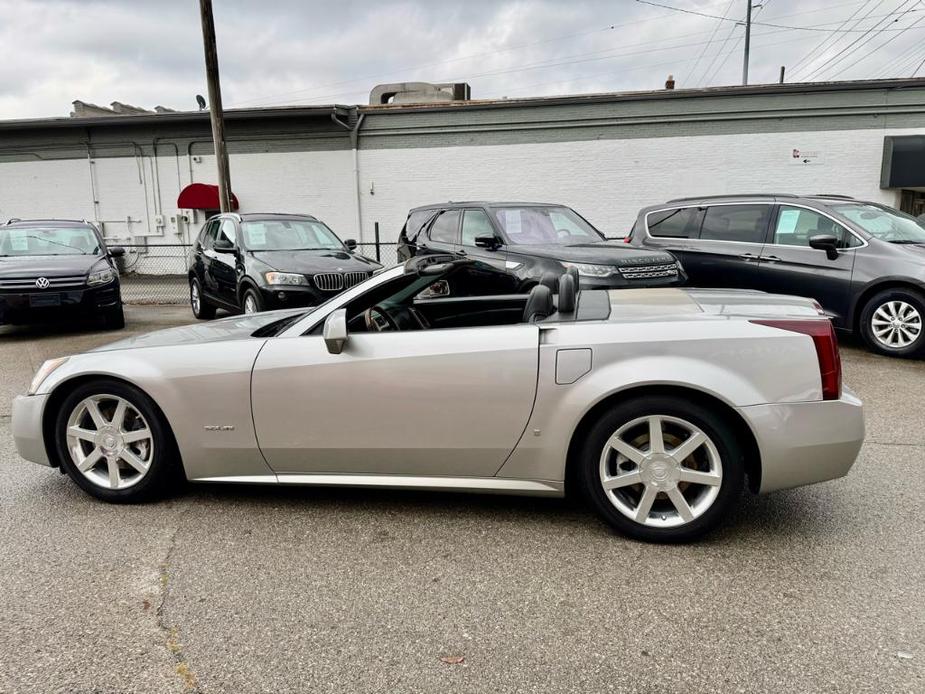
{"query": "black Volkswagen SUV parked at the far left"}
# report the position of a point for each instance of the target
(57, 268)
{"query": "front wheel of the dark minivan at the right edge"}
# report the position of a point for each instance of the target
(893, 323)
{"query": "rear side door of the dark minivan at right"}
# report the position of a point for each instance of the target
(727, 249)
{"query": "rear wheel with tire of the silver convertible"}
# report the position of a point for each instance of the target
(661, 469)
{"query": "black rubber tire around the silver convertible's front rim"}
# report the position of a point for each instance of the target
(164, 471)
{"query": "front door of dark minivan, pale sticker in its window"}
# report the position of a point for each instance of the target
(789, 266)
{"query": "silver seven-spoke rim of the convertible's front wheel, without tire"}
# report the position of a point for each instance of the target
(109, 441)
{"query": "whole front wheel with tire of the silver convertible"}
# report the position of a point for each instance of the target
(113, 442)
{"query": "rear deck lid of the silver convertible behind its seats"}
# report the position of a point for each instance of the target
(654, 304)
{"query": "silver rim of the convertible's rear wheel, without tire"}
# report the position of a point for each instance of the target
(660, 471)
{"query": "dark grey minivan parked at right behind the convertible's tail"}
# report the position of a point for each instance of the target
(862, 261)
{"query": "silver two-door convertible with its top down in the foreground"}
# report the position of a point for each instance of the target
(658, 405)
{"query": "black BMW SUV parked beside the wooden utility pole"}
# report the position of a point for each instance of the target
(255, 262)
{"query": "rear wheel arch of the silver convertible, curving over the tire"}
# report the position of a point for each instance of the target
(741, 428)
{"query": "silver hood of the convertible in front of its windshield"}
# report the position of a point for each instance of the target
(233, 328)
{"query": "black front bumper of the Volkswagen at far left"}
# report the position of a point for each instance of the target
(38, 306)
